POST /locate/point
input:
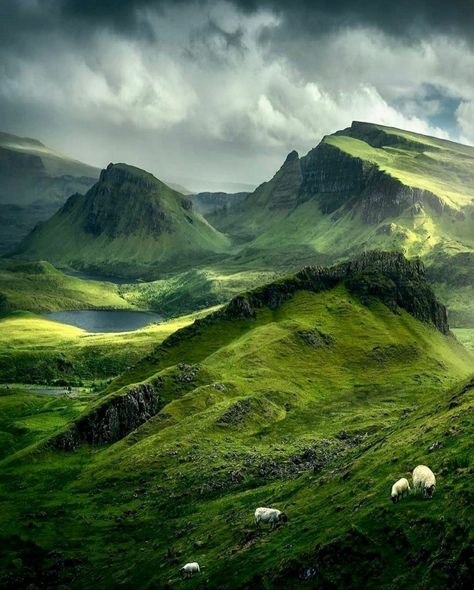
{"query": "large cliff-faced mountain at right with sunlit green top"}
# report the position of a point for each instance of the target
(365, 187)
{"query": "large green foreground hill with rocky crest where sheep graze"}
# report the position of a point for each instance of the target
(312, 394)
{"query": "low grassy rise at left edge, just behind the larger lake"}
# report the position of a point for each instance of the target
(40, 287)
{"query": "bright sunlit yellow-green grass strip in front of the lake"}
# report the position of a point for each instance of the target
(38, 350)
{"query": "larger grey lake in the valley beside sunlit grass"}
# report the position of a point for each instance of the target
(105, 321)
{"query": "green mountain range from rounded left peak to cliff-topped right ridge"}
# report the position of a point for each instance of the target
(365, 187)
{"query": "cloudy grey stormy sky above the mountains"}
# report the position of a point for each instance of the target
(214, 93)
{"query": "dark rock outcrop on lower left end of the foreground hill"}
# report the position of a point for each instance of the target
(113, 419)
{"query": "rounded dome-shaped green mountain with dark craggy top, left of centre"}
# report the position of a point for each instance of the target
(128, 224)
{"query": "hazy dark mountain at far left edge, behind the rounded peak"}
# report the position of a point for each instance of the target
(34, 182)
